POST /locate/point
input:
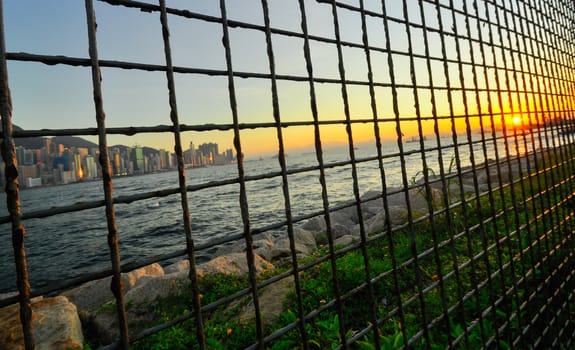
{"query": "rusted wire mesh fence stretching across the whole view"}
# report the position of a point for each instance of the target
(518, 53)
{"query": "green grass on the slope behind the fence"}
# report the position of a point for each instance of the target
(485, 271)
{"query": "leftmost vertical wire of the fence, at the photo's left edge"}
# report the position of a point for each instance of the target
(8, 150)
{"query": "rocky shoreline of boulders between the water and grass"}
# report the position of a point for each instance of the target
(58, 321)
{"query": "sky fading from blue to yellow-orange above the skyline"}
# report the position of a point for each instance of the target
(60, 96)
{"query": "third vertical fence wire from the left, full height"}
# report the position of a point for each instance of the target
(190, 249)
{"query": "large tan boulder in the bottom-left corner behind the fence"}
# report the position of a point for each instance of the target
(55, 322)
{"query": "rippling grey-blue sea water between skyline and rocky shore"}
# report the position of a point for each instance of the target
(69, 245)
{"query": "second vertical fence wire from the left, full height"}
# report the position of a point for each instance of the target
(117, 282)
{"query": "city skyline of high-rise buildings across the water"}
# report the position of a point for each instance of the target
(55, 164)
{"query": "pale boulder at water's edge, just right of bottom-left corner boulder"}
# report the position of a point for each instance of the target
(89, 296)
